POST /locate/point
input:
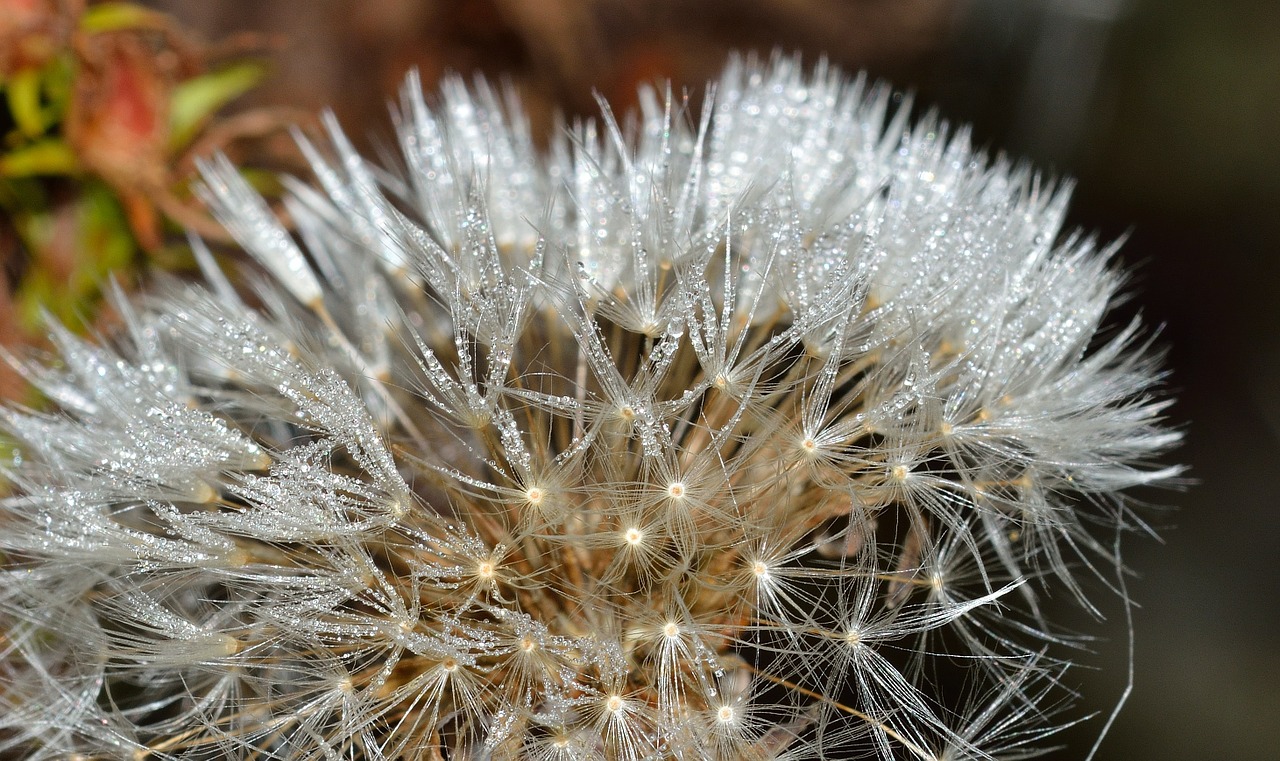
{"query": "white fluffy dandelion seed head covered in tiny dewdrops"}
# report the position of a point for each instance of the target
(719, 434)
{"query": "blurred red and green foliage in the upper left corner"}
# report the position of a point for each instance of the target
(104, 109)
